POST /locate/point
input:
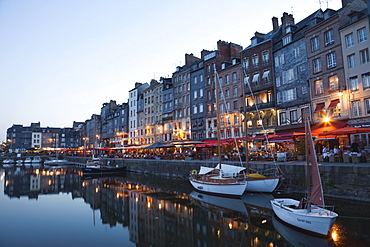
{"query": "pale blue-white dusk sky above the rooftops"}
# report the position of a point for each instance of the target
(61, 60)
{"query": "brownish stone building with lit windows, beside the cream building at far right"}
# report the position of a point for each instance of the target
(328, 87)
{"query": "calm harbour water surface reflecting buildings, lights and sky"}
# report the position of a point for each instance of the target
(60, 207)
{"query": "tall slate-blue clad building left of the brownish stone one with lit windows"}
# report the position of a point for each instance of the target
(291, 72)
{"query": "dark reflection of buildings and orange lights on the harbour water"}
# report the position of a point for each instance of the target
(158, 216)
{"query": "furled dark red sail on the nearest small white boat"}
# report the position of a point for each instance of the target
(317, 196)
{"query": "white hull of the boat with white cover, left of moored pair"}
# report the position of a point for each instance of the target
(230, 189)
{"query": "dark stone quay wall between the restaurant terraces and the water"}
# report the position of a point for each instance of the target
(340, 180)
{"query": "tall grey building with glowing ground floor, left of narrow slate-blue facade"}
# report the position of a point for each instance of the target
(181, 99)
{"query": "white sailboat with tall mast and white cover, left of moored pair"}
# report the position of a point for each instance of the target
(225, 180)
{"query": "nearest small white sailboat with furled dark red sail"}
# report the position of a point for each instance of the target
(308, 214)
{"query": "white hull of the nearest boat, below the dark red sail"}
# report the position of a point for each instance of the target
(318, 220)
